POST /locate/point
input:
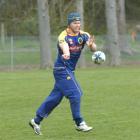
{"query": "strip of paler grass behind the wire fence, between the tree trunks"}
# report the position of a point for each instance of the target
(27, 51)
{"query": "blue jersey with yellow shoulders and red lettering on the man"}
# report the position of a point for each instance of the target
(76, 43)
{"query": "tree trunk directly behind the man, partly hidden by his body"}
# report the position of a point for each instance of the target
(80, 9)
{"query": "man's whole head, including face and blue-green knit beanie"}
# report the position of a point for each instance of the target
(74, 22)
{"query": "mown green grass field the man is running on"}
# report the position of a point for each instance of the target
(111, 104)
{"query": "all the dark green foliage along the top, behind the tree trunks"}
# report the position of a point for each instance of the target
(20, 17)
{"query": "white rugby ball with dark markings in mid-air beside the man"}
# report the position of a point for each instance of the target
(98, 57)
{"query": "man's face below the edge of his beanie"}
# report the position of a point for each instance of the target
(75, 26)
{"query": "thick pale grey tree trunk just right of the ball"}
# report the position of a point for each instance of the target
(112, 34)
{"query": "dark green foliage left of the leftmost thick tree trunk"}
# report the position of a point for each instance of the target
(19, 17)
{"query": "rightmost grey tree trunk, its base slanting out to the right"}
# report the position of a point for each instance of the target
(123, 41)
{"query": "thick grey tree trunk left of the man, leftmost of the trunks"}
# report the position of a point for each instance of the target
(44, 33)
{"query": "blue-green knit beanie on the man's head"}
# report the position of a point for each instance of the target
(74, 16)
